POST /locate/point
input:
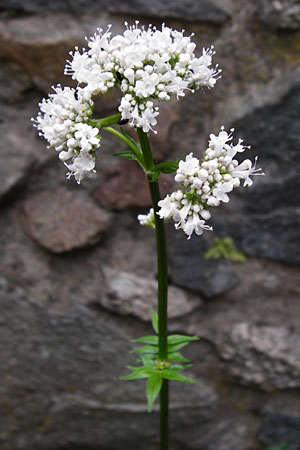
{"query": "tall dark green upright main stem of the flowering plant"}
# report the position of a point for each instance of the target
(162, 296)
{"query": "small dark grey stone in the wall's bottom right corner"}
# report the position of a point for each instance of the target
(278, 428)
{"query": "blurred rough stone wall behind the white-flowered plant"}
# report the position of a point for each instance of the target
(78, 273)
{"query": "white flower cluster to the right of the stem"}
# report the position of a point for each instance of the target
(207, 183)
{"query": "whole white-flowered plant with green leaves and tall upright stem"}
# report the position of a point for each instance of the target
(148, 66)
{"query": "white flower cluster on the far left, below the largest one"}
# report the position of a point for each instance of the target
(62, 121)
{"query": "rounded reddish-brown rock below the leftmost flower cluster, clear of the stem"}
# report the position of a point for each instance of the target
(61, 221)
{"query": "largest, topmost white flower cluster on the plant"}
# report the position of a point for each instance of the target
(147, 65)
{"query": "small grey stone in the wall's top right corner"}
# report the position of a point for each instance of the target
(284, 14)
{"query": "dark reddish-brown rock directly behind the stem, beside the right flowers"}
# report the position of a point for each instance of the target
(125, 186)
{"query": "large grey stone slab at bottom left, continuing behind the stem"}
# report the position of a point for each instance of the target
(60, 381)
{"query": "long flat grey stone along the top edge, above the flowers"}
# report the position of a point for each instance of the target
(203, 11)
